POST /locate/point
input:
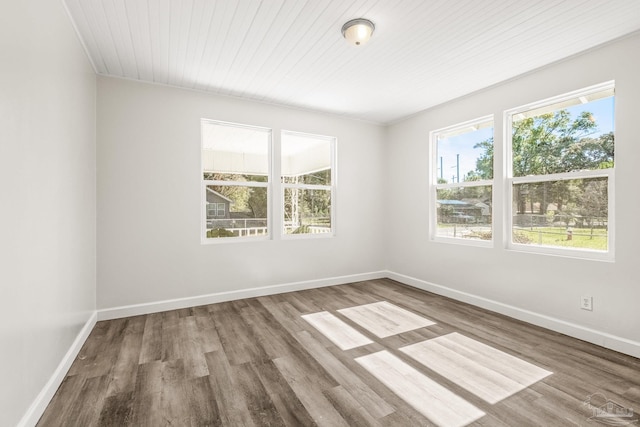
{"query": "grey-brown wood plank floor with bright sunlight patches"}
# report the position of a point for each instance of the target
(266, 362)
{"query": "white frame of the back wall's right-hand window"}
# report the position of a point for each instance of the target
(332, 188)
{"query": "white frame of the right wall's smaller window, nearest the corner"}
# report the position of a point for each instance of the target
(434, 186)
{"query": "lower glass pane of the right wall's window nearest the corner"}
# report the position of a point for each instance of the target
(464, 212)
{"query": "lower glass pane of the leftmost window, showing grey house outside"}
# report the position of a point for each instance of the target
(236, 211)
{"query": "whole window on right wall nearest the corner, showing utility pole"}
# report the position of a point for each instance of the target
(462, 182)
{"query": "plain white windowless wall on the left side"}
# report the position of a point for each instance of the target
(47, 204)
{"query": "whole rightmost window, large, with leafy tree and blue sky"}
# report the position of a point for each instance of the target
(560, 174)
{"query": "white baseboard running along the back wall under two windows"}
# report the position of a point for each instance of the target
(155, 307)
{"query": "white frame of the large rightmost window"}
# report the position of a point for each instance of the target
(599, 173)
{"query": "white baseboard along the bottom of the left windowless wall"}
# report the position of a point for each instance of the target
(37, 408)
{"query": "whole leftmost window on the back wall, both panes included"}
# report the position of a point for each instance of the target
(235, 180)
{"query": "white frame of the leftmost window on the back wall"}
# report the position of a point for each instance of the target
(268, 185)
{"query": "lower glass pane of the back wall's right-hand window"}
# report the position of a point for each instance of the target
(307, 211)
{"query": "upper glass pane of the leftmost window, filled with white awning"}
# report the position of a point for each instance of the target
(234, 153)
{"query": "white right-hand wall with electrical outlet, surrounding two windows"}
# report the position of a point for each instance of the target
(545, 285)
